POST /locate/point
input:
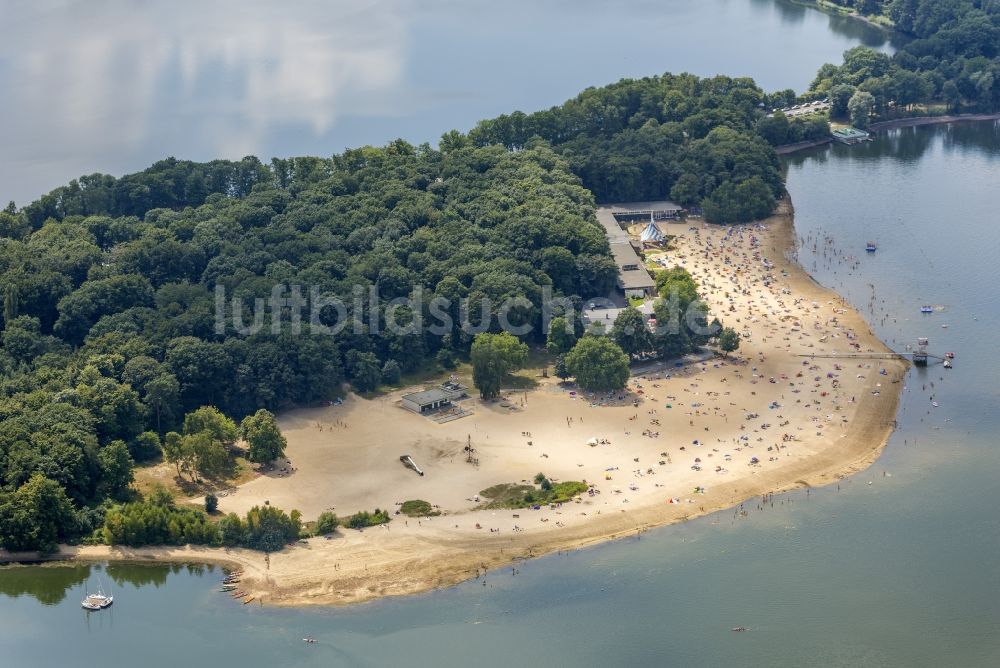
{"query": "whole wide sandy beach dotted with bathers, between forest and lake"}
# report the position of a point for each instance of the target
(679, 443)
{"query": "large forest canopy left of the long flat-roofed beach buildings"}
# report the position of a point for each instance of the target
(109, 323)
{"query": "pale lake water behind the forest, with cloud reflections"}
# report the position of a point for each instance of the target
(113, 85)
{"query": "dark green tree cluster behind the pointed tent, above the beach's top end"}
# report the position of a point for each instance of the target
(675, 136)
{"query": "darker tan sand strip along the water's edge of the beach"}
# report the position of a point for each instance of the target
(355, 567)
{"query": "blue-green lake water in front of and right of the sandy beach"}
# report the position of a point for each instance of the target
(896, 566)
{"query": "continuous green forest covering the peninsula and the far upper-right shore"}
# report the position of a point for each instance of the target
(111, 354)
